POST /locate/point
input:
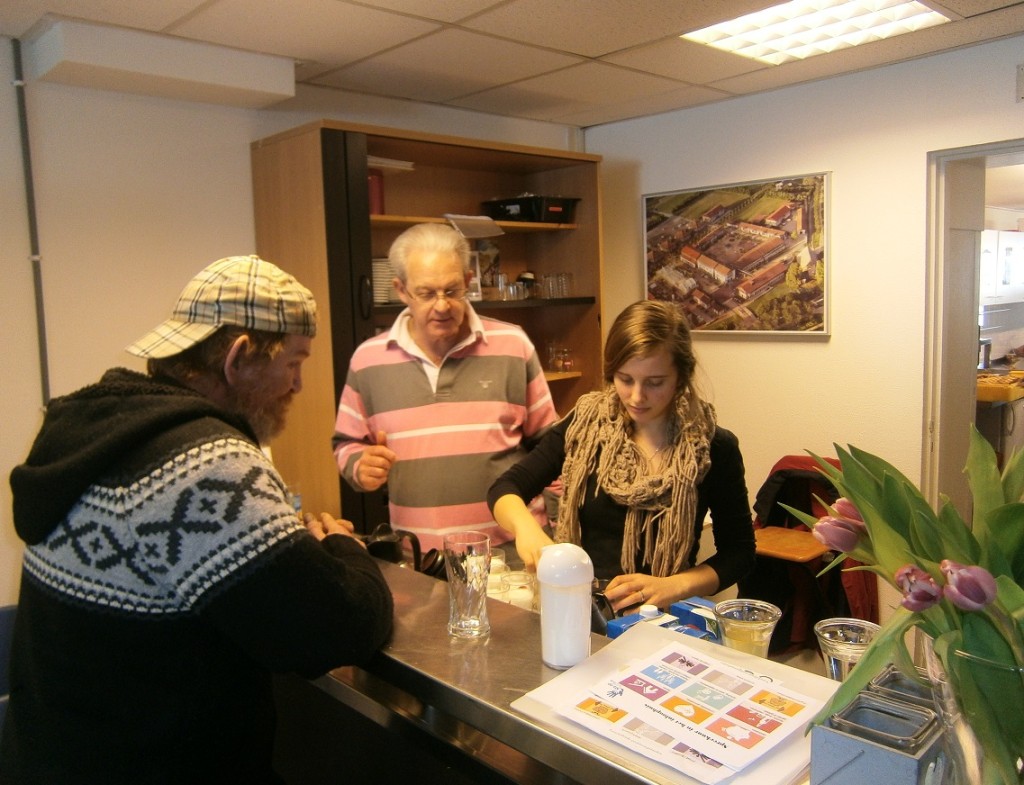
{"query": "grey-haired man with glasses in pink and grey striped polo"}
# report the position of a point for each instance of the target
(439, 407)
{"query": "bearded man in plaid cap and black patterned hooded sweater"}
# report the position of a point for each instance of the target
(166, 575)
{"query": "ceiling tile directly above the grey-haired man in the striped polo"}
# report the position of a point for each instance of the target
(447, 65)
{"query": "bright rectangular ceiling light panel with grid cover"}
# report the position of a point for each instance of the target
(803, 29)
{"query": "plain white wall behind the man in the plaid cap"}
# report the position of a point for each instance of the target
(135, 196)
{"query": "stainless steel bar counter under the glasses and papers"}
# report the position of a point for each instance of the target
(460, 691)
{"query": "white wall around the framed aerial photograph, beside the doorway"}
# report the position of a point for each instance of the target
(873, 132)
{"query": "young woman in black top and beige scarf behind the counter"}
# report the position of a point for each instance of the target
(643, 463)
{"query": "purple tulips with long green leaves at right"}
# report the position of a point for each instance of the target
(961, 586)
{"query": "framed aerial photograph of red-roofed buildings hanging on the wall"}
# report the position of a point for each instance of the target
(746, 258)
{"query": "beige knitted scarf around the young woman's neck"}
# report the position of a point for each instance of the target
(661, 508)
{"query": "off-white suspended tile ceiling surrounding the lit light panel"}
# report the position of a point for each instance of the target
(324, 37)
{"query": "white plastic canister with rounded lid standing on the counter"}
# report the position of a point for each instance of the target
(566, 576)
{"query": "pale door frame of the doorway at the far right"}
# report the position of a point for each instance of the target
(957, 219)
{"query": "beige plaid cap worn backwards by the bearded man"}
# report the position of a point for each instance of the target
(243, 291)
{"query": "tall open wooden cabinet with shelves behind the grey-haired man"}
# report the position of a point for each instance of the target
(312, 203)
